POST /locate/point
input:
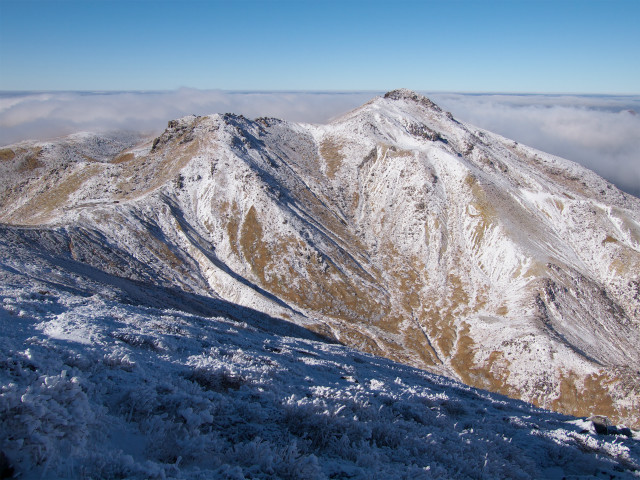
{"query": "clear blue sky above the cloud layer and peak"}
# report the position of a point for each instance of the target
(585, 46)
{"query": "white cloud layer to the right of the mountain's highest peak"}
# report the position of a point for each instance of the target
(599, 132)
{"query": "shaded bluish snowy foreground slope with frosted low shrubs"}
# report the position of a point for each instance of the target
(98, 380)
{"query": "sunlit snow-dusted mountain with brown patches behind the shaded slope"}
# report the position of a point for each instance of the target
(395, 229)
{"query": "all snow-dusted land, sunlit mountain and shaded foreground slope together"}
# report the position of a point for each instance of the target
(230, 299)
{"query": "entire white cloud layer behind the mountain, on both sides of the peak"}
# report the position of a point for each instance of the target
(600, 132)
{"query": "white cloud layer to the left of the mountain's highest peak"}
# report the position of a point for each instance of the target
(46, 115)
